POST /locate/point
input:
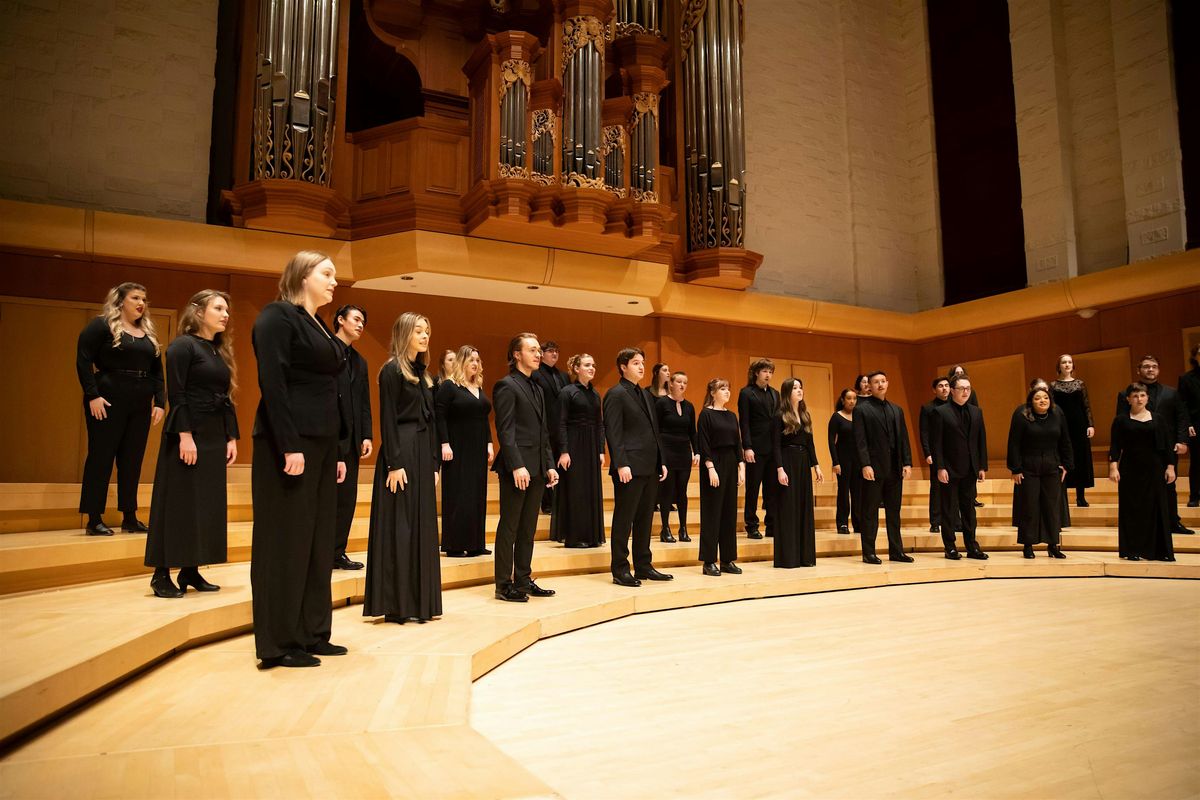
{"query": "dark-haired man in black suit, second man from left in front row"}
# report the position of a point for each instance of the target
(635, 453)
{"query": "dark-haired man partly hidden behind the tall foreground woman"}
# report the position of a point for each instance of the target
(355, 405)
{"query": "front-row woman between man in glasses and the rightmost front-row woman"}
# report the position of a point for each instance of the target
(1039, 456)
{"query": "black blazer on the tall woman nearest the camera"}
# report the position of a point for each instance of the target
(298, 365)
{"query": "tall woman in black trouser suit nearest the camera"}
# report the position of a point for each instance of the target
(295, 472)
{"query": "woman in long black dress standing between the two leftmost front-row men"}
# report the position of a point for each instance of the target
(579, 504)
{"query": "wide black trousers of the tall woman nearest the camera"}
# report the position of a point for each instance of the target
(293, 546)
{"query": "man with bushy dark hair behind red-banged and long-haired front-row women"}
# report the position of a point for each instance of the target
(758, 405)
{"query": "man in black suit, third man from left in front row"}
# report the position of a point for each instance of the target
(883, 441)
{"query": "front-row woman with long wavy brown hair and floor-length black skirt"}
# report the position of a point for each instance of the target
(796, 539)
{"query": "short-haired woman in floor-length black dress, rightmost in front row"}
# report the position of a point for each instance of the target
(1142, 464)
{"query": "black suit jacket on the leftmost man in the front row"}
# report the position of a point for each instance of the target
(521, 426)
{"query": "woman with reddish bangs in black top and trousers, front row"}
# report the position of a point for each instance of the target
(721, 450)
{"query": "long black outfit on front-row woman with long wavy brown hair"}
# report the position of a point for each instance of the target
(796, 538)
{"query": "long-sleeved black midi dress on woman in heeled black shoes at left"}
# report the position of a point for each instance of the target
(188, 510)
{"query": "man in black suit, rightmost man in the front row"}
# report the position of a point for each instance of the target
(961, 459)
